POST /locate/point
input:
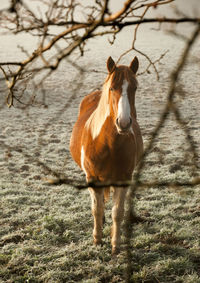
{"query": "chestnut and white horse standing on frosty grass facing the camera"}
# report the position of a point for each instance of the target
(106, 142)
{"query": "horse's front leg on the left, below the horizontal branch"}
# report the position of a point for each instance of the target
(97, 198)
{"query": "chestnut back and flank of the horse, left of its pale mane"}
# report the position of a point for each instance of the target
(87, 107)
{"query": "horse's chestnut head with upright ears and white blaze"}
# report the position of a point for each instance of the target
(122, 85)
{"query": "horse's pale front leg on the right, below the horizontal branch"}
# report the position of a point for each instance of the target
(119, 195)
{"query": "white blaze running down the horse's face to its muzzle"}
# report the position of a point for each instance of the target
(124, 109)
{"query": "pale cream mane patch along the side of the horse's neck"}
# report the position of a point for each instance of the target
(99, 116)
